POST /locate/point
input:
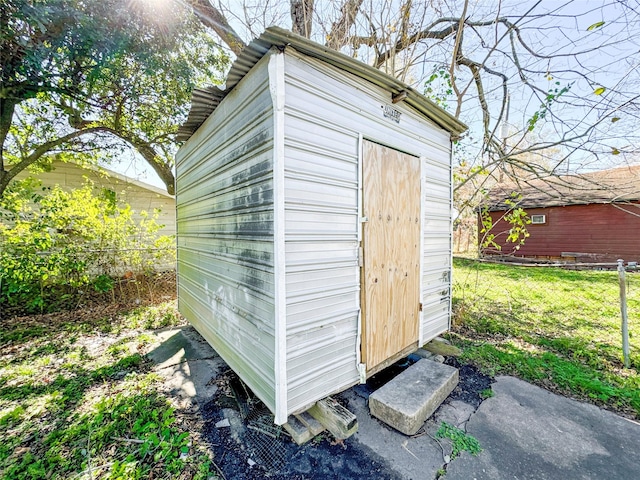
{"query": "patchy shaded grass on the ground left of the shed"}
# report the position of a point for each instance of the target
(79, 400)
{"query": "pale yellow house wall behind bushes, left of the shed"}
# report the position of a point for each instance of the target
(141, 197)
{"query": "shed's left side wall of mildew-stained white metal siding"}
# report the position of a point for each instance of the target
(225, 232)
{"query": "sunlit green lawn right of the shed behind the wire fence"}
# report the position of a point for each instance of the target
(556, 328)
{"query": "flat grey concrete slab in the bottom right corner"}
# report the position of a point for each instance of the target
(529, 433)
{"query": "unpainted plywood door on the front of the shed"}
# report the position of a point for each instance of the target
(391, 250)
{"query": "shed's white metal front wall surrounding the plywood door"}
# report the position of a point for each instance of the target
(325, 112)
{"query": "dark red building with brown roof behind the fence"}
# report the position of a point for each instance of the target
(592, 217)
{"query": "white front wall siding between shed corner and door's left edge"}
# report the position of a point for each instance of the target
(321, 208)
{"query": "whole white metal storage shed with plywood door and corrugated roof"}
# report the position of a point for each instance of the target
(314, 220)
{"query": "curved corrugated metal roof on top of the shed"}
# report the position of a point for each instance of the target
(205, 100)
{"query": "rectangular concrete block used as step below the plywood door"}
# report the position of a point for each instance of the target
(409, 399)
